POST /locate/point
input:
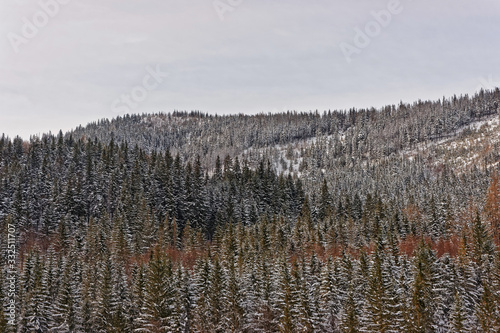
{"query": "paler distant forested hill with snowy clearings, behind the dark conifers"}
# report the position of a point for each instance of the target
(405, 153)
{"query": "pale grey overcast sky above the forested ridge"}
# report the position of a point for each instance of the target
(65, 63)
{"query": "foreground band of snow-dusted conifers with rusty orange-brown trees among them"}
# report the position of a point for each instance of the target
(266, 277)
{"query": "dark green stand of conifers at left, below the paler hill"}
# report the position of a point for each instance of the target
(58, 183)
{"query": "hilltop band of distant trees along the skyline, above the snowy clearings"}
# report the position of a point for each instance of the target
(370, 132)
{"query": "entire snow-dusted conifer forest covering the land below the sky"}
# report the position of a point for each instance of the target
(370, 220)
